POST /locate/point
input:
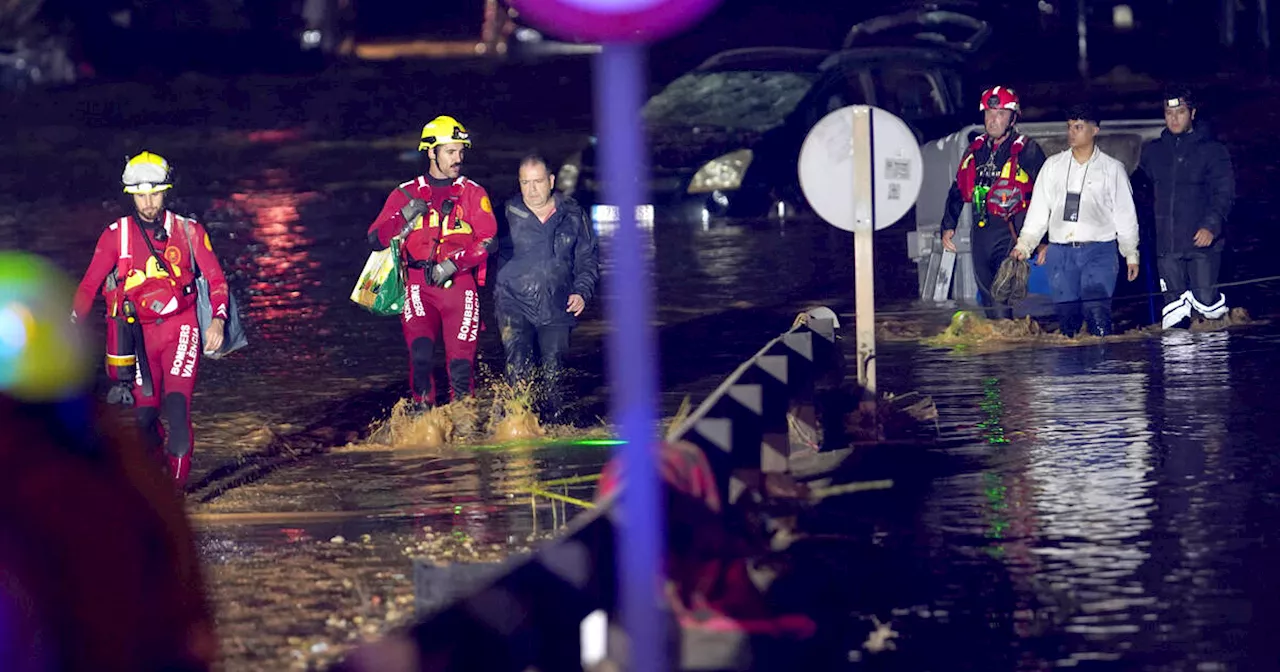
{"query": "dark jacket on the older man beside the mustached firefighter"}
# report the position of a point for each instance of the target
(541, 264)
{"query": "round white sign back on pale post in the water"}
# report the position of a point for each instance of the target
(861, 170)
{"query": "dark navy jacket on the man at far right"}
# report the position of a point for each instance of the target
(1194, 184)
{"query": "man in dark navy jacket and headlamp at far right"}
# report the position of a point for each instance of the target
(1195, 189)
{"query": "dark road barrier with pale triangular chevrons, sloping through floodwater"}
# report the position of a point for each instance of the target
(534, 611)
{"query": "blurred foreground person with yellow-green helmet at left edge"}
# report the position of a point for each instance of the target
(98, 563)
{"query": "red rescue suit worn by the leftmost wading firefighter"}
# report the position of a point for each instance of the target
(161, 296)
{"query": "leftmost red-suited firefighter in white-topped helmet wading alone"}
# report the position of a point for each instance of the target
(144, 266)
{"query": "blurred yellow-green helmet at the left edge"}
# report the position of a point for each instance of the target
(43, 356)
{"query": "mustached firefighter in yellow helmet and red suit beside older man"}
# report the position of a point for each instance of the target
(449, 228)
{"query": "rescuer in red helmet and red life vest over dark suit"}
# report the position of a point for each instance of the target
(996, 176)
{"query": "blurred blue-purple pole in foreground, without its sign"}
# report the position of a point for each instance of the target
(633, 358)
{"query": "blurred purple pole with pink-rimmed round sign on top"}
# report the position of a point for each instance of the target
(625, 28)
